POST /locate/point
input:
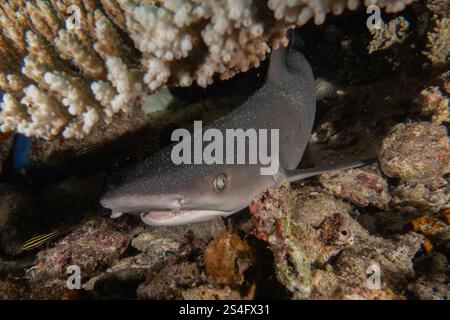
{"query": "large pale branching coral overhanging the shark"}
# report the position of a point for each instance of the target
(65, 65)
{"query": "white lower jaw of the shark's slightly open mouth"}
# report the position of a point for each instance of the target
(171, 218)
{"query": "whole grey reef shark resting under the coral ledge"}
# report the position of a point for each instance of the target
(165, 194)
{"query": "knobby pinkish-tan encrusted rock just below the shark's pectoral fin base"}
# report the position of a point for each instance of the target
(298, 234)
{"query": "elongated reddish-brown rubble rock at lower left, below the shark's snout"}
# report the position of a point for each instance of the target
(90, 247)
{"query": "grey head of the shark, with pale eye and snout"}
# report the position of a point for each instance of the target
(166, 195)
